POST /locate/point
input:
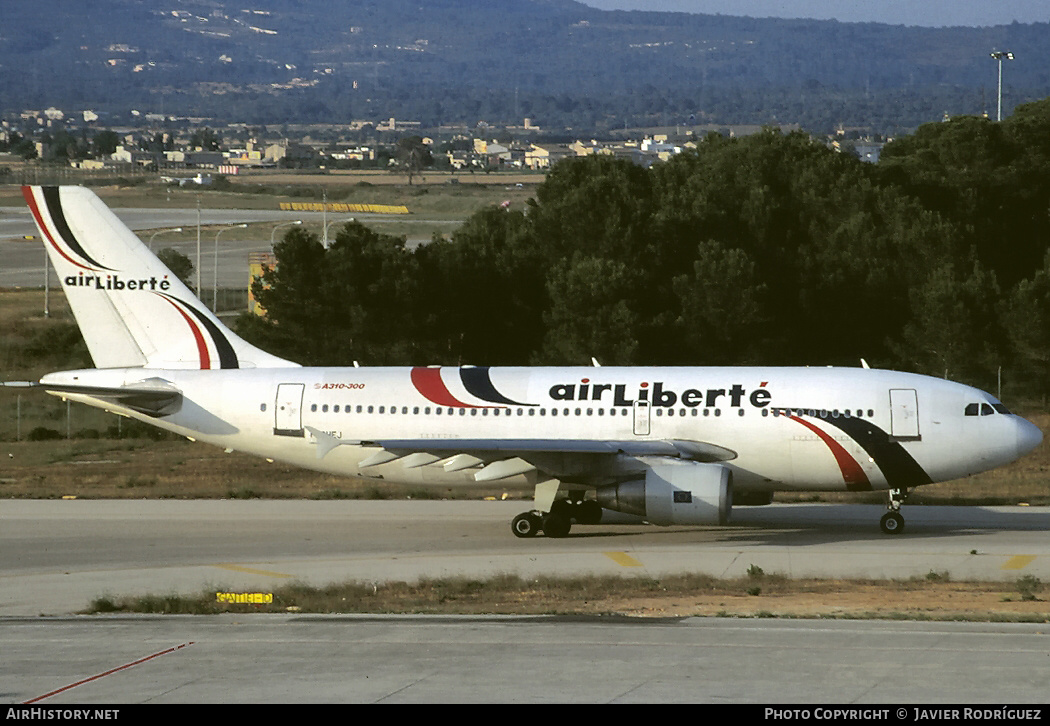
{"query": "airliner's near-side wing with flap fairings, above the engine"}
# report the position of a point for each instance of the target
(497, 460)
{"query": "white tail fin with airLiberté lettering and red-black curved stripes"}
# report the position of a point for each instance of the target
(131, 308)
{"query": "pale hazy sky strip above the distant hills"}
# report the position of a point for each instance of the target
(932, 13)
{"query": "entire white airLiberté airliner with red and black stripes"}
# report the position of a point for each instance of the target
(667, 446)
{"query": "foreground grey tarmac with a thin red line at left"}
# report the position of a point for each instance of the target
(472, 660)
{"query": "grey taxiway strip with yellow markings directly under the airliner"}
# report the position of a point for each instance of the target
(57, 556)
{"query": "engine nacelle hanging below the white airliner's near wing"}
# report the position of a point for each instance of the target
(676, 493)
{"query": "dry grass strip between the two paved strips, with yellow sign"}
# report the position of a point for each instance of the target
(688, 595)
